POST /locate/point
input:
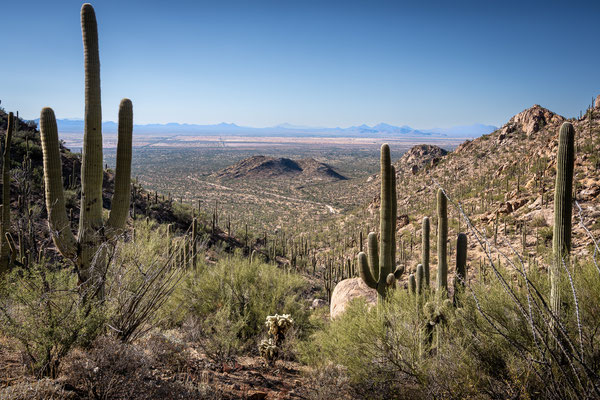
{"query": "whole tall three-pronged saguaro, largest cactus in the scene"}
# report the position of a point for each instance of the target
(92, 230)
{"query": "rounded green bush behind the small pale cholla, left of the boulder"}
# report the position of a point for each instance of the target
(233, 297)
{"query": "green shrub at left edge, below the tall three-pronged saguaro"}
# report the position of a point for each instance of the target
(43, 310)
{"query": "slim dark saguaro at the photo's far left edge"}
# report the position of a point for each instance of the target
(5, 226)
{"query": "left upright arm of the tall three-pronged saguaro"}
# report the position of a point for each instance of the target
(55, 200)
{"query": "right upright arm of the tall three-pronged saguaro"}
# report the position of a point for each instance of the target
(121, 198)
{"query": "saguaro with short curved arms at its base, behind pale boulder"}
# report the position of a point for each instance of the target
(375, 268)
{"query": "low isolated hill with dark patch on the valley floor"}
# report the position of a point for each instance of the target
(262, 167)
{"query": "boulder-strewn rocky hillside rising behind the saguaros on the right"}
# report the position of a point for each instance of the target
(504, 182)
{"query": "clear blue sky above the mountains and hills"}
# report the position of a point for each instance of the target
(321, 63)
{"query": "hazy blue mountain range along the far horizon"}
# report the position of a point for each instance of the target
(288, 130)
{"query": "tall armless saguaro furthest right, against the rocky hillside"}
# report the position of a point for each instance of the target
(561, 240)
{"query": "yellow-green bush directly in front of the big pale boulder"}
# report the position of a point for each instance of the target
(378, 348)
